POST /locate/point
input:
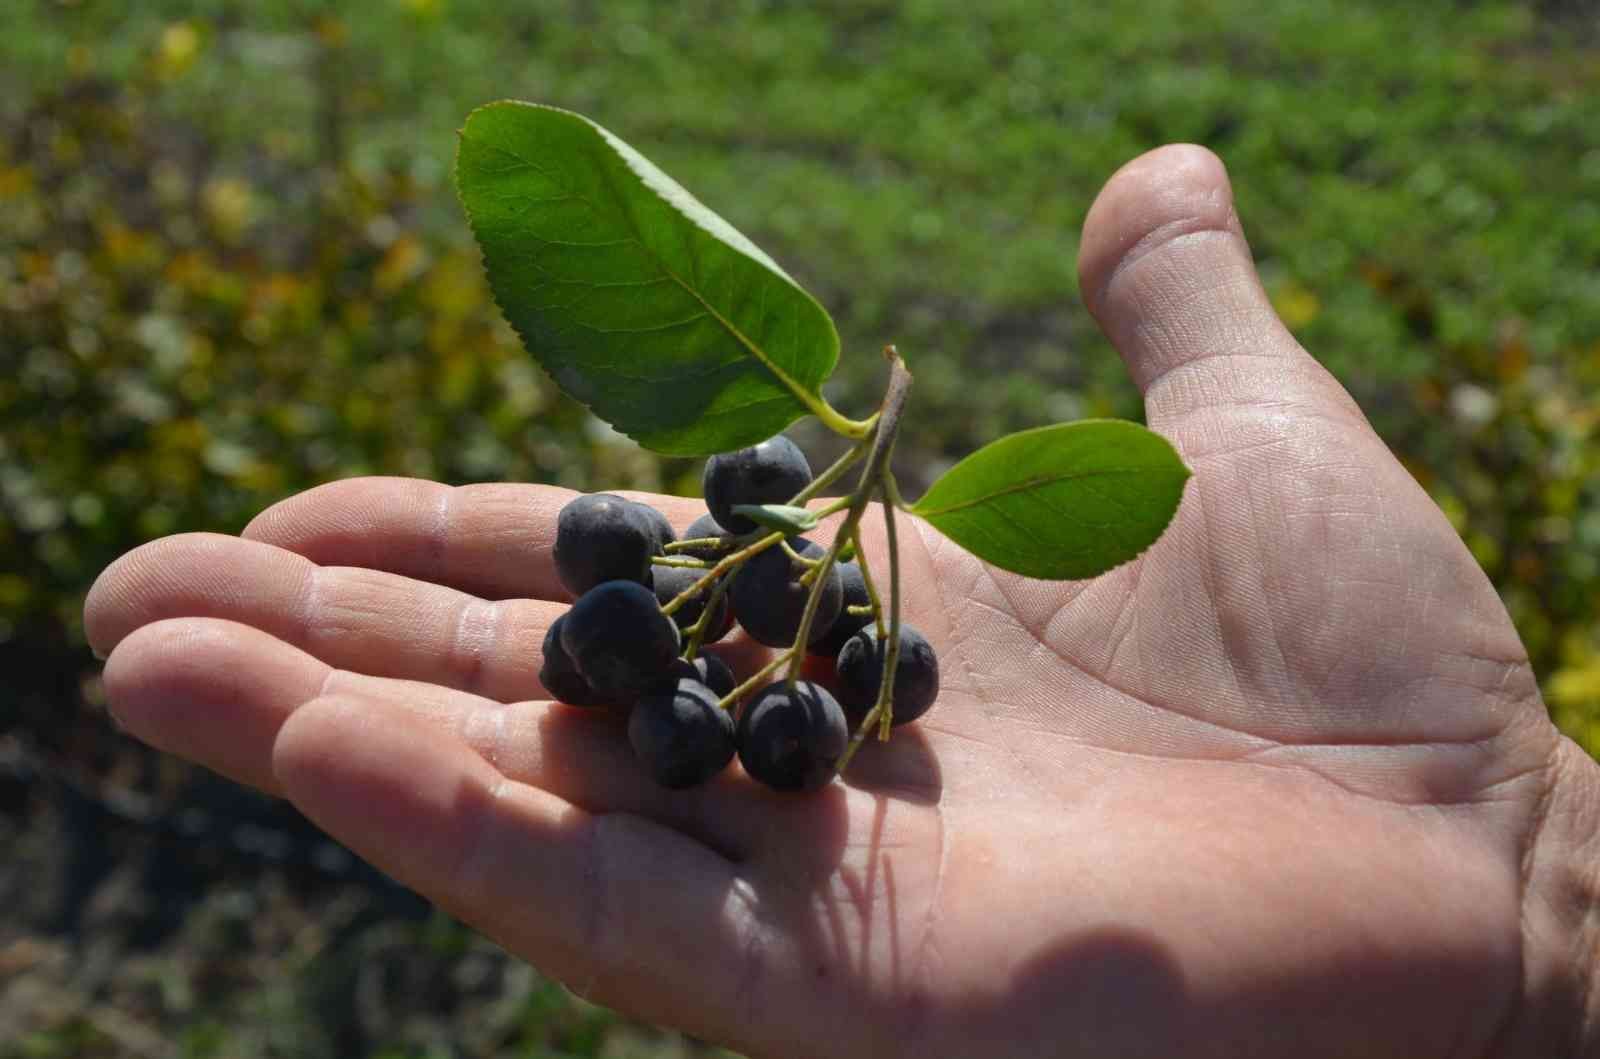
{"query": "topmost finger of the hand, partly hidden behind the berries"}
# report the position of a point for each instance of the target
(492, 540)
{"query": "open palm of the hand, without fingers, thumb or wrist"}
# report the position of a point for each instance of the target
(1226, 741)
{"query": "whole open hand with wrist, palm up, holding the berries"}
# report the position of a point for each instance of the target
(1284, 786)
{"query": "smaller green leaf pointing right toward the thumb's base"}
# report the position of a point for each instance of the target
(1060, 503)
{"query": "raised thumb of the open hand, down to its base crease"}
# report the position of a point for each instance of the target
(1166, 270)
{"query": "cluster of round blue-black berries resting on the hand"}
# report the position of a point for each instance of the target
(618, 647)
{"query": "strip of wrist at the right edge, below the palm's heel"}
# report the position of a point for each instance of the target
(1559, 1012)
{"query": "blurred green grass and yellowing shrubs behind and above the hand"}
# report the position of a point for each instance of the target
(231, 262)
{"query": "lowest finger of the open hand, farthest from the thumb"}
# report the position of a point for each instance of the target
(631, 913)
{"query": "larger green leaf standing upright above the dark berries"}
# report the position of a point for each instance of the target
(638, 300)
